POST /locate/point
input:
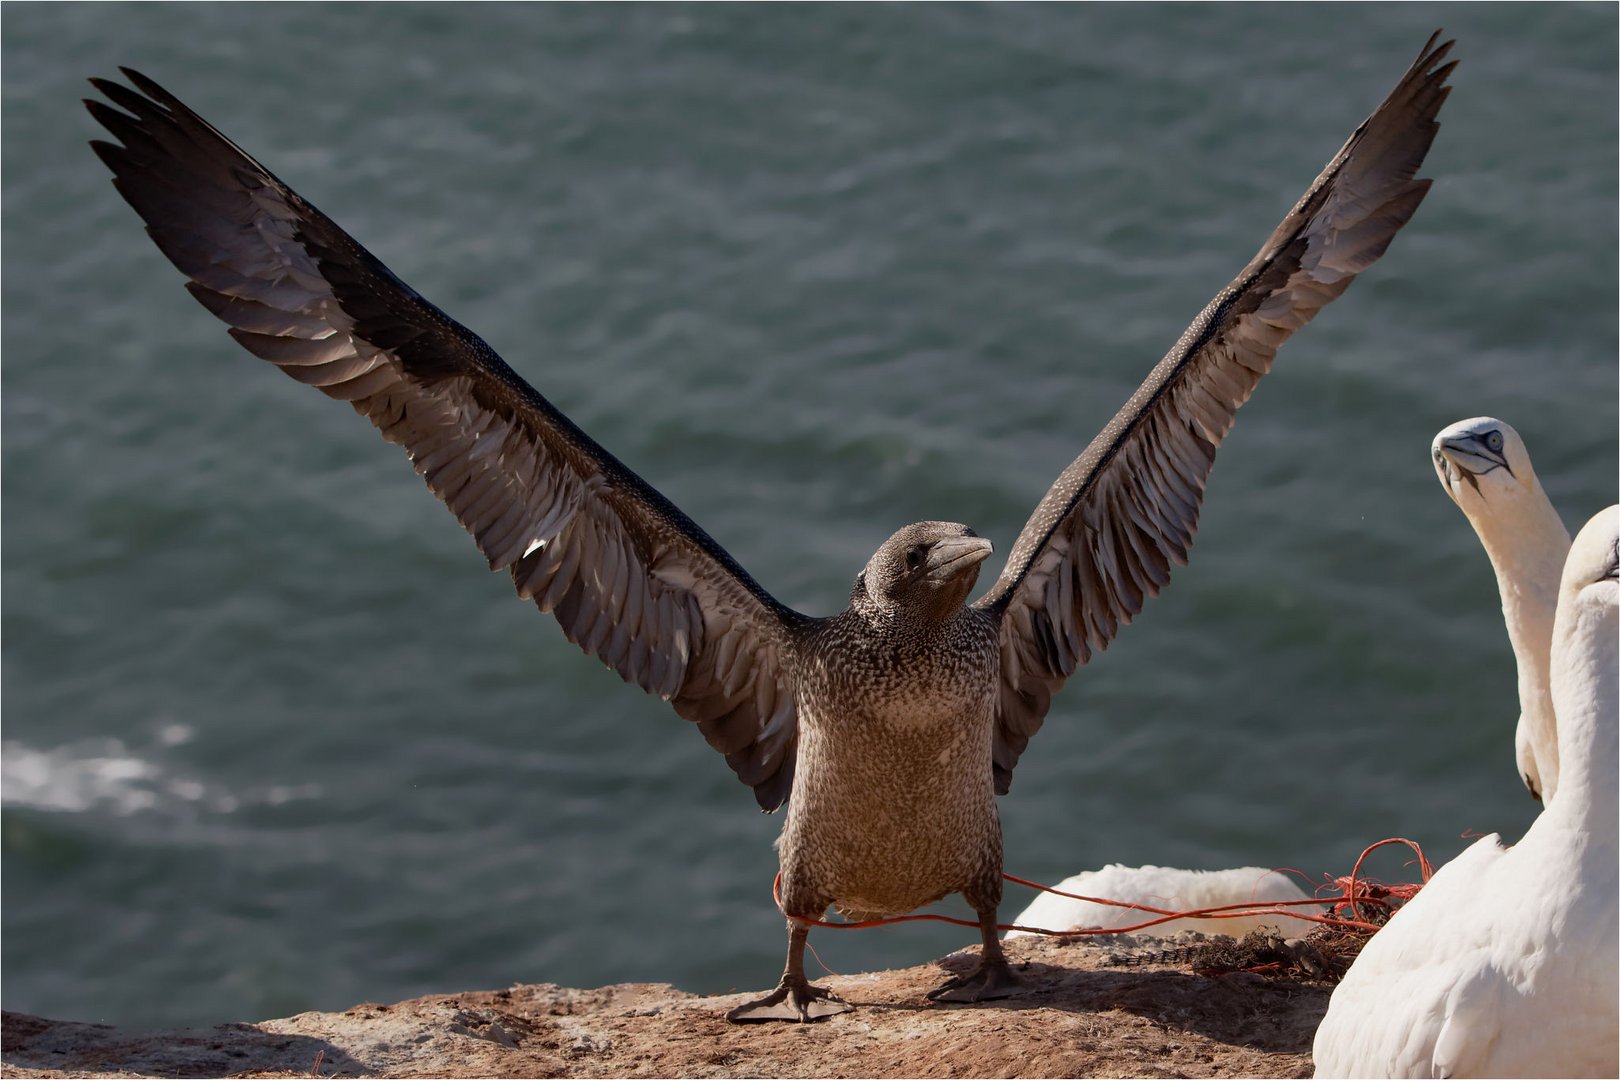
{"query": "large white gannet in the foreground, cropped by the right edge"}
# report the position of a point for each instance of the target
(1506, 964)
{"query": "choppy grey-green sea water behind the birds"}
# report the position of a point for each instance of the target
(275, 742)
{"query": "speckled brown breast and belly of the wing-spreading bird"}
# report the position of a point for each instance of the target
(893, 801)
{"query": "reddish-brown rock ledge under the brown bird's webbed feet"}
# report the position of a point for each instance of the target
(1085, 1019)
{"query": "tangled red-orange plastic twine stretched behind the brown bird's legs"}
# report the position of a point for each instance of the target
(1354, 895)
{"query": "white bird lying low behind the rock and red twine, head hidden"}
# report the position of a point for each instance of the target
(1164, 888)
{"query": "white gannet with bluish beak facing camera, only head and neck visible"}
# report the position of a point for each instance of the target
(1485, 467)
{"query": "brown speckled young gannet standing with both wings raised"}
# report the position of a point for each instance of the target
(892, 726)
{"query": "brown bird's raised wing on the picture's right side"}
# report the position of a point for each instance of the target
(1106, 535)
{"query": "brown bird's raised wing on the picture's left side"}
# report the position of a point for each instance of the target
(631, 579)
